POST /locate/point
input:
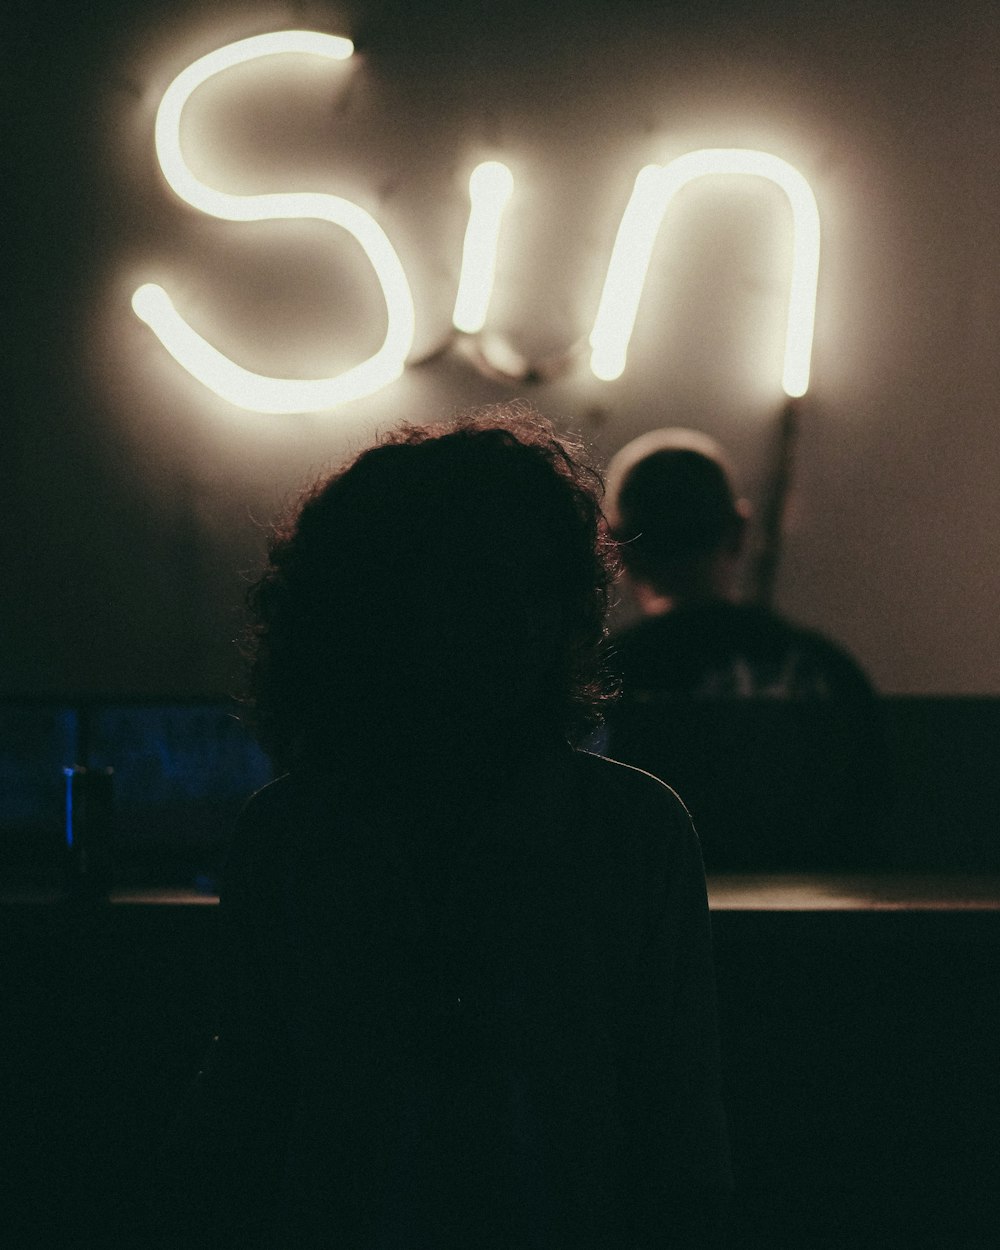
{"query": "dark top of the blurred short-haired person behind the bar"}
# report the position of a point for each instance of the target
(772, 733)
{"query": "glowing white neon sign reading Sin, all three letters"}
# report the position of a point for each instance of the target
(491, 189)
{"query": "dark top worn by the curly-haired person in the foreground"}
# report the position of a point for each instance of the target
(448, 1028)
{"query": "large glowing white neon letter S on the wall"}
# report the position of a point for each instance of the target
(196, 354)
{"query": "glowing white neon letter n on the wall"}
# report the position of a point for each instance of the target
(656, 188)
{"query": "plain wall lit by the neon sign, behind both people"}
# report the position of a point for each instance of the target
(138, 499)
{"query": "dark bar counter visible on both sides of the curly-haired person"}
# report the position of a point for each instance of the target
(859, 1031)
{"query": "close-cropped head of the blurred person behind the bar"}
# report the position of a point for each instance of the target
(673, 509)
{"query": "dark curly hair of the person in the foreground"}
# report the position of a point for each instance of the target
(449, 586)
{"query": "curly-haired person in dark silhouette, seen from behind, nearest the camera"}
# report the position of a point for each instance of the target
(467, 986)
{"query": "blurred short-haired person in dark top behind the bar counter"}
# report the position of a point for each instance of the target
(768, 731)
